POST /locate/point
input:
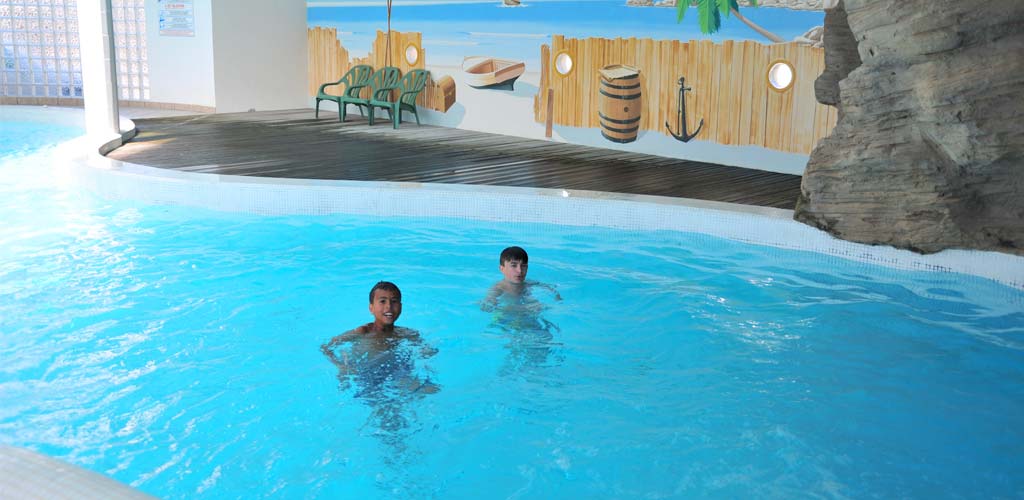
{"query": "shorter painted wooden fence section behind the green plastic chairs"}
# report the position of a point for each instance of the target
(329, 61)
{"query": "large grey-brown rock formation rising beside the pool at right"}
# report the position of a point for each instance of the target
(928, 153)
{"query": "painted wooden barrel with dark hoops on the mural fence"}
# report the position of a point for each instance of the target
(619, 108)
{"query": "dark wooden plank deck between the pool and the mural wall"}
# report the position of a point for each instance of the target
(292, 144)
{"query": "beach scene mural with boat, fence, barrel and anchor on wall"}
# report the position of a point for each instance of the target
(602, 73)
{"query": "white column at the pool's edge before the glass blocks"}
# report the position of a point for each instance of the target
(96, 32)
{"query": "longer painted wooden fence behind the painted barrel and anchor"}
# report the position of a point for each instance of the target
(731, 90)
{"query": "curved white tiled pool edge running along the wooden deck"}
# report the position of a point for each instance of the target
(761, 226)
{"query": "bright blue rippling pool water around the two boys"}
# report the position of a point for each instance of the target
(179, 351)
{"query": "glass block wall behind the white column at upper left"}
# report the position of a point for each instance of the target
(39, 50)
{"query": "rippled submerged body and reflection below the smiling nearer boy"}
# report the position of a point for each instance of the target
(381, 368)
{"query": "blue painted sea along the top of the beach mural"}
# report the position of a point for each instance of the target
(452, 31)
